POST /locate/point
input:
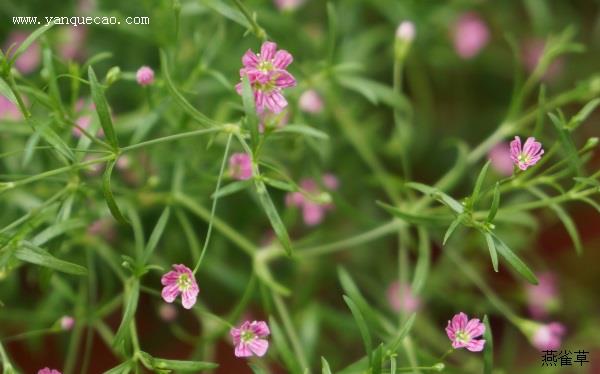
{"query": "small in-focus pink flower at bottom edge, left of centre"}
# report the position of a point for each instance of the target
(249, 339)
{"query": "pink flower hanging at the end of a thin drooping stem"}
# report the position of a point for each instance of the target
(180, 281)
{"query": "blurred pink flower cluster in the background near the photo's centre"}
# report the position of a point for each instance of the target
(313, 211)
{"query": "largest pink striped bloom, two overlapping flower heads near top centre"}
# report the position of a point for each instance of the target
(268, 77)
